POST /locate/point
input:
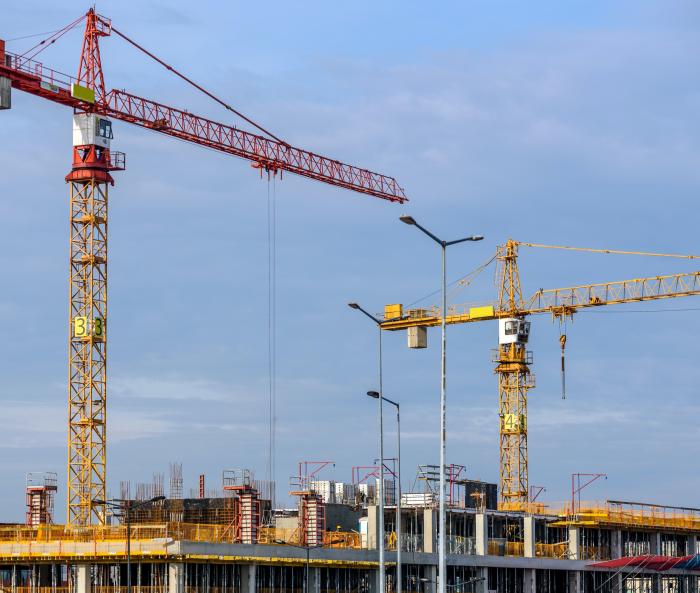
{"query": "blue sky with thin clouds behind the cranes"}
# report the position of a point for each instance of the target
(565, 123)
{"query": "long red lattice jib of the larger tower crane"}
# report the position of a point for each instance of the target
(34, 78)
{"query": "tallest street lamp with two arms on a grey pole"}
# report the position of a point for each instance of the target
(442, 565)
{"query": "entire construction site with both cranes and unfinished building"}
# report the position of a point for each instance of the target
(232, 532)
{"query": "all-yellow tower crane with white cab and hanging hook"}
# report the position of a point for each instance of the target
(512, 359)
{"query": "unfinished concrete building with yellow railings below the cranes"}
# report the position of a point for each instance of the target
(237, 543)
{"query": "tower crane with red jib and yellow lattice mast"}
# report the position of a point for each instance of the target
(94, 108)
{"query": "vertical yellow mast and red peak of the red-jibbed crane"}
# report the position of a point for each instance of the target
(89, 182)
